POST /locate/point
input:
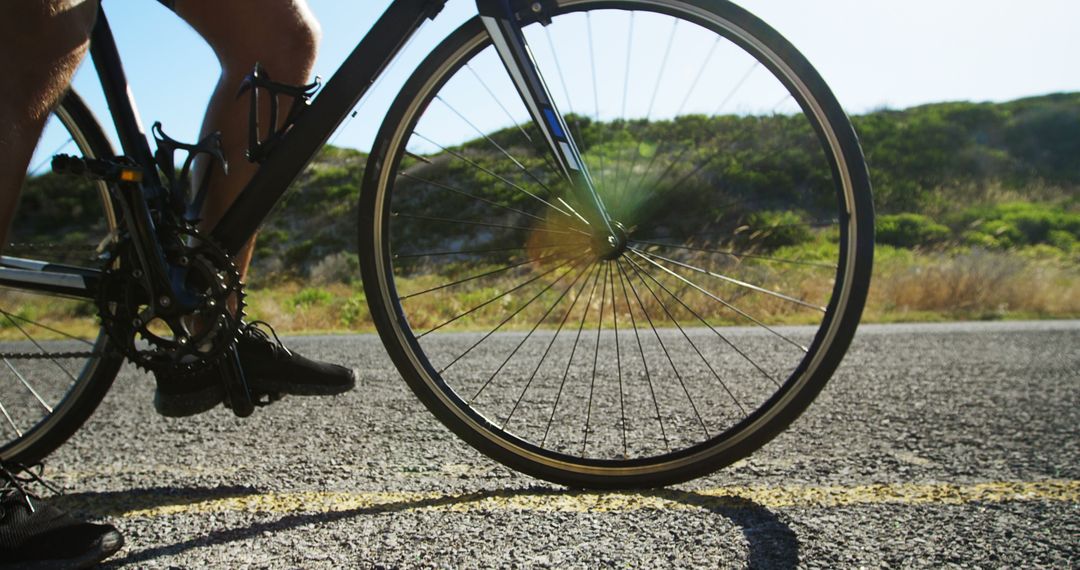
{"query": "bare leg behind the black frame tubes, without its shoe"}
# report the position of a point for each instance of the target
(283, 36)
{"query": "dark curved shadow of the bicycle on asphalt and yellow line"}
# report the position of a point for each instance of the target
(772, 544)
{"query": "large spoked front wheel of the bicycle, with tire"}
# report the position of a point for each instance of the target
(742, 193)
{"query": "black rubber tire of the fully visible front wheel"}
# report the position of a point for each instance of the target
(382, 161)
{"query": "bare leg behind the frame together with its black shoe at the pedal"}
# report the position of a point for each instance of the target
(283, 36)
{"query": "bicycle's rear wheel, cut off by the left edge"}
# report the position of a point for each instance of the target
(57, 365)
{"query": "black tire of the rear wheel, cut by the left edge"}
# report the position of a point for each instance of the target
(100, 373)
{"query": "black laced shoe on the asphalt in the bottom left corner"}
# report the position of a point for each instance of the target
(38, 536)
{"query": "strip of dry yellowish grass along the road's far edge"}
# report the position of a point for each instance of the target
(908, 287)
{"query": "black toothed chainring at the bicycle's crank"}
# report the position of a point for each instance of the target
(163, 338)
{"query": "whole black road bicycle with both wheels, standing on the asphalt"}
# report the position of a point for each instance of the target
(616, 295)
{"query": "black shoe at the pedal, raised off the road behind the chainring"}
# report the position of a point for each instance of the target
(269, 369)
